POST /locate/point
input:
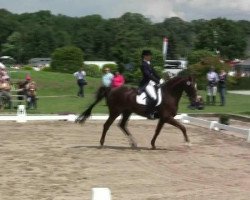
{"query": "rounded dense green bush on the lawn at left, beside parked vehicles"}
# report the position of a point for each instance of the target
(67, 59)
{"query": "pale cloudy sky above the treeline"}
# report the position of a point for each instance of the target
(156, 10)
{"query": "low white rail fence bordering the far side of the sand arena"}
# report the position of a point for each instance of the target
(184, 118)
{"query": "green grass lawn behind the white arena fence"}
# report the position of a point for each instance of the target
(59, 84)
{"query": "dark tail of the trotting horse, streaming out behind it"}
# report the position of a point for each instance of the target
(101, 93)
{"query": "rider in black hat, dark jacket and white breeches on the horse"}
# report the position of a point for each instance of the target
(149, 74)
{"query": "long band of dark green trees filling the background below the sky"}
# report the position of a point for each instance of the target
(41, 34)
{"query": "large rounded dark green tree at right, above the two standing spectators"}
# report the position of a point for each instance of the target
(223, 35)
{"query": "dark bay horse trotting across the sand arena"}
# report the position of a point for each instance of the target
(122, 101)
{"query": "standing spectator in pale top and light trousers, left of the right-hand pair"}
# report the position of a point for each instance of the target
(212, 78)
